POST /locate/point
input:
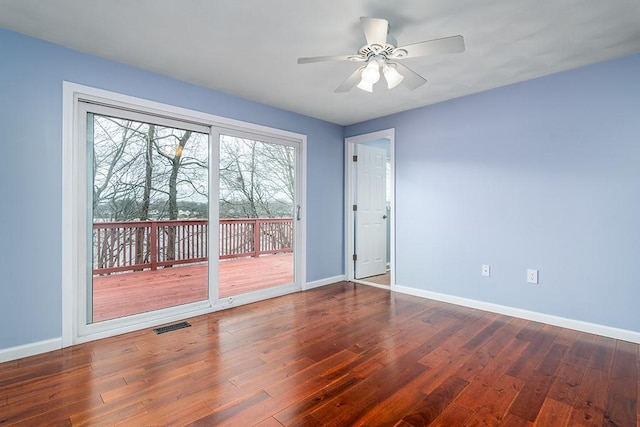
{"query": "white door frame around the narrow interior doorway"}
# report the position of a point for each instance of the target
(350, 144)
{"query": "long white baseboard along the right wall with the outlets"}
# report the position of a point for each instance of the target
(578, 325)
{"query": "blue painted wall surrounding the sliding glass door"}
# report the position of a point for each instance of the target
(31, 76)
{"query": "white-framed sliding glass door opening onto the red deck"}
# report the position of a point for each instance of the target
(152, 193)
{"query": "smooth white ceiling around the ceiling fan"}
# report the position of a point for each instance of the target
(249, 48)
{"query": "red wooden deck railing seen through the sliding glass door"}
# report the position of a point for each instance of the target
(139, 245)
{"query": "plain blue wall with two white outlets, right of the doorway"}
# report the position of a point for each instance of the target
(543, 174)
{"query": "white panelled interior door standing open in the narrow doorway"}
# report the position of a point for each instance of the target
(371, 212)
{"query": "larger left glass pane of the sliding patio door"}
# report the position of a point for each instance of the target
(150, 213)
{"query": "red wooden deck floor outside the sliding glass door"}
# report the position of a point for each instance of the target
(125, 294)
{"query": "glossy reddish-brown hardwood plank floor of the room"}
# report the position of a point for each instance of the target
(339, 355)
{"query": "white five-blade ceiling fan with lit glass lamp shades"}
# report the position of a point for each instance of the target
(381, 53)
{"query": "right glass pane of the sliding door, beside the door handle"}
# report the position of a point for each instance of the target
(257, 208)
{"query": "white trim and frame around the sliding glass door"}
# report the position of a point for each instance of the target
(73, 194)
